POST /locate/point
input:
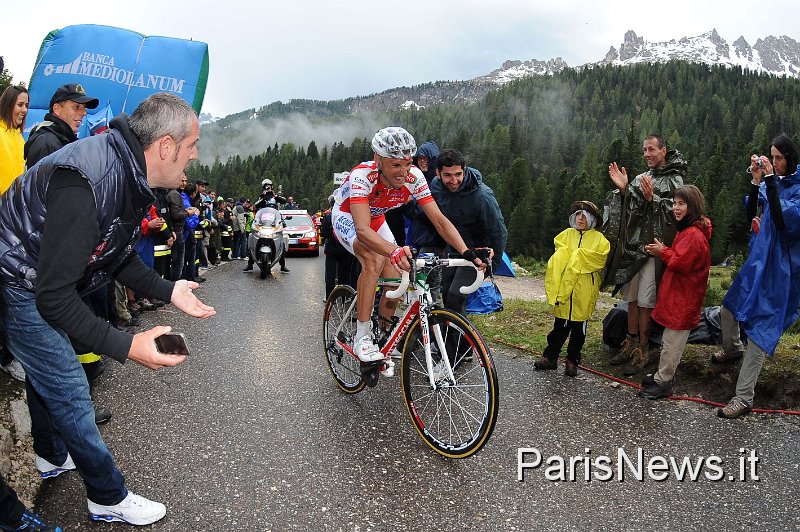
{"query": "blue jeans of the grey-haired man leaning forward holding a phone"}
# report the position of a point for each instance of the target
(61, 406)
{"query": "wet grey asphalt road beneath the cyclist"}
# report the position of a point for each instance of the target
(251, 433)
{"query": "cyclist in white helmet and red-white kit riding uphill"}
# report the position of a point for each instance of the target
(373, 188)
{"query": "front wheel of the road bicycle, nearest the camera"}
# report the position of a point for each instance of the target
(457, 418)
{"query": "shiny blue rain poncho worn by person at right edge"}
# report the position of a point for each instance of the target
(765, 295)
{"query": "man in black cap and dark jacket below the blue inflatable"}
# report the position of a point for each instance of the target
(60, 126)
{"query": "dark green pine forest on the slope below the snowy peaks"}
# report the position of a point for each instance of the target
(544, 141)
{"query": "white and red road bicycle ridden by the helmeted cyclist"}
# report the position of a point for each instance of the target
(452, 400)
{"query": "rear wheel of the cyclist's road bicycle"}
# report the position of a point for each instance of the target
(345, 368)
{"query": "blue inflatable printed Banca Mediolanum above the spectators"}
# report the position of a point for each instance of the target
(117, 66)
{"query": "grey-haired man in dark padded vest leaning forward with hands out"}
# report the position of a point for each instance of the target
(67, 227)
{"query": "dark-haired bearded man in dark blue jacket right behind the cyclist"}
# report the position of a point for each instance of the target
(472, 208)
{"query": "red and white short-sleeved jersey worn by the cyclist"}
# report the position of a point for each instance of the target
(365, 186)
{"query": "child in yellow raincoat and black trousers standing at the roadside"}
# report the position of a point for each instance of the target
(572, 283)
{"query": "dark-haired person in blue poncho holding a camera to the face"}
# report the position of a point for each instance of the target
(765, 295)
